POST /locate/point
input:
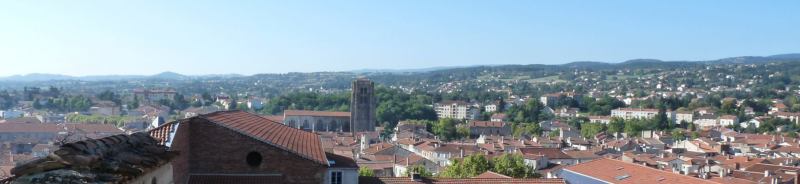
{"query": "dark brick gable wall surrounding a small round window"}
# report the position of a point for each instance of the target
(216, 149)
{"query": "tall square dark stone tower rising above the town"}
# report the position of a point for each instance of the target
(362, 106)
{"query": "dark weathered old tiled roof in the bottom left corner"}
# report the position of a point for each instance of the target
(113, 159)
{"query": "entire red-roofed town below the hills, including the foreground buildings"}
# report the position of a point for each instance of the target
(668, 133)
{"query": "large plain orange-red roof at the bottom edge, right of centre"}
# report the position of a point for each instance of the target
(621, 172)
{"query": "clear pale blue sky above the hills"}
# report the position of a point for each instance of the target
(248, 37)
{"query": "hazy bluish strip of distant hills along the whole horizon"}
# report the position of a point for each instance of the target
(438, 71)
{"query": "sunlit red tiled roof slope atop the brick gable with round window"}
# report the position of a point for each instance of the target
(306, 144)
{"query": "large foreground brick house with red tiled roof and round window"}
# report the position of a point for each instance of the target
(240, 147)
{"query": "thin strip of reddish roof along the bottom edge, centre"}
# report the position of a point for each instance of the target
(407, 180)
